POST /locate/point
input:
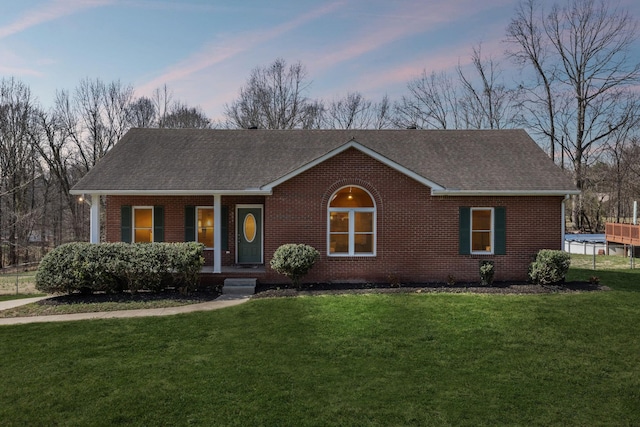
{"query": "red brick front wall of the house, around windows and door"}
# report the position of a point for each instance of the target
(417, 234)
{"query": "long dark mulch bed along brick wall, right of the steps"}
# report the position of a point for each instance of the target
(264, 291)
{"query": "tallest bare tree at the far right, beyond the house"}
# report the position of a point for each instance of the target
(592, 41)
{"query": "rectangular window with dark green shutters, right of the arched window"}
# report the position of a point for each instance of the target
(483, 231)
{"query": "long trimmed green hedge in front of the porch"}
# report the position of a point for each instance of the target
(114, 267)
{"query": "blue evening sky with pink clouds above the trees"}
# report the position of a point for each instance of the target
(204, 50)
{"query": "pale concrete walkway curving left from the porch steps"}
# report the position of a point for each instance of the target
(221, 302)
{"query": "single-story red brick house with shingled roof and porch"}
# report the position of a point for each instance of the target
(421, 205)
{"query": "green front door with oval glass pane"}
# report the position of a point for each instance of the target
(249, 232)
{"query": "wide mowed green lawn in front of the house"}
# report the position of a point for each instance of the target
(392, 359)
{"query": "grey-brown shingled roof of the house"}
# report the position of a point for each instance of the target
(193, 161)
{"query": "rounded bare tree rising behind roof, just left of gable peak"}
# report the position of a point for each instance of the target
(274, 97)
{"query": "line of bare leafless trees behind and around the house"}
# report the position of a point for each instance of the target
(576, 92)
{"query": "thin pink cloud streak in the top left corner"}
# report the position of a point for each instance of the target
(49, 12)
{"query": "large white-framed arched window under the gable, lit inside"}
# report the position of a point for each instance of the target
(352, 223)
